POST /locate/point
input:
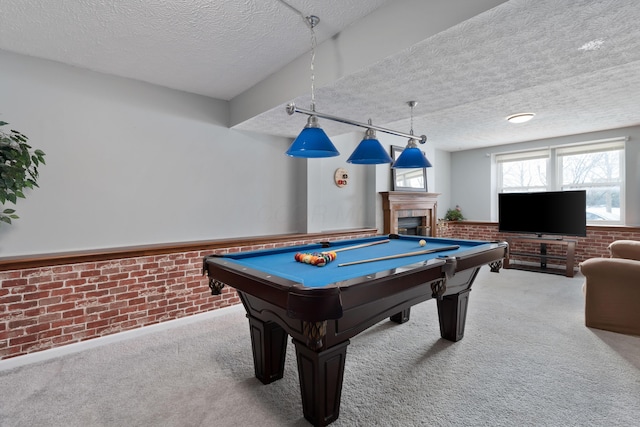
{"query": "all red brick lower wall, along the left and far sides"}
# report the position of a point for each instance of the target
(46, 307)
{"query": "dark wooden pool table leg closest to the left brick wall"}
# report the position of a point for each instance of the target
(269, 345)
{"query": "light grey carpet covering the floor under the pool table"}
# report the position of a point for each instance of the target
(526, 359)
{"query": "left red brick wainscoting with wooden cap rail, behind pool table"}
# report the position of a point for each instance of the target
(54, 301)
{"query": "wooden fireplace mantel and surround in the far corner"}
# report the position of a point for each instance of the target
(409, 204)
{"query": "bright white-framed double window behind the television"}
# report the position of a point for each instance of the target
(596, 167)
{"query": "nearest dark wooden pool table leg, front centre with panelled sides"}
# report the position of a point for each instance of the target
(320, 374)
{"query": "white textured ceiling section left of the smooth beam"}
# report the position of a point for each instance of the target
(215, 48)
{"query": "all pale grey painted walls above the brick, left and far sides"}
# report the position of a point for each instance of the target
(130, 163)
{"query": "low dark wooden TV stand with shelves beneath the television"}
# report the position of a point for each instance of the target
(567, 256)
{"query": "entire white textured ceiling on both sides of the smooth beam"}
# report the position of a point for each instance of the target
(575, 63)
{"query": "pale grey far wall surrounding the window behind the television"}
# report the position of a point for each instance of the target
(472, 174)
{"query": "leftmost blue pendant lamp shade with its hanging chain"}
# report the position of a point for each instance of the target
(312, 142)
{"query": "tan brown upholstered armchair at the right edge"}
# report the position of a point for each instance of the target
(612, 289)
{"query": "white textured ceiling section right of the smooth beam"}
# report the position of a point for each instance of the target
(518, 57)
